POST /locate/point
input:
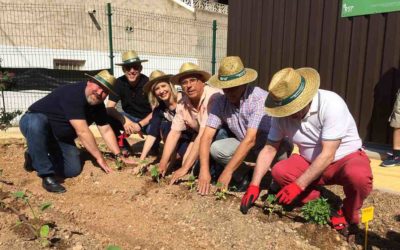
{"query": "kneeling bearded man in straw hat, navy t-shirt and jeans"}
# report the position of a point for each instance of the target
(51, 125)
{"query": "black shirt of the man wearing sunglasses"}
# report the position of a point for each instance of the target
(133, 99)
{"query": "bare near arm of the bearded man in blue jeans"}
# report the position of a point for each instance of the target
(88, 141)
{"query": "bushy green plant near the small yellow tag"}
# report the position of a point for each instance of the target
(317, 211)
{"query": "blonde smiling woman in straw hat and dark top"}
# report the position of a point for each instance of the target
(163, 97)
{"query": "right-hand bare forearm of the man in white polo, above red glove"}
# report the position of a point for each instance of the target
(320, 163)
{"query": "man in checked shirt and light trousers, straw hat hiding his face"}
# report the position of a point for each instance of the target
(241, 108)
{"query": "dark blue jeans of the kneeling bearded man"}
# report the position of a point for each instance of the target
(49, 155)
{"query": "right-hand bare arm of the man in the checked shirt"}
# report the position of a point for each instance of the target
(238, 157)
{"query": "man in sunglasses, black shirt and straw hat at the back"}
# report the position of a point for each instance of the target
(129, 90)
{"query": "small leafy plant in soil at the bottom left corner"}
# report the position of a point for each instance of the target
(41, 232)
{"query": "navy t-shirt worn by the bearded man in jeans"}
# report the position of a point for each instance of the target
(66, 103)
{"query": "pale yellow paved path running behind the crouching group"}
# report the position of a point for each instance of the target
(385, 179)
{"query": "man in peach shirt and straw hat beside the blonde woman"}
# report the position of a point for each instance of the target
(191, 116)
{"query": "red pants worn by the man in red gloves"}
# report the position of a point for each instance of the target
(353, 172)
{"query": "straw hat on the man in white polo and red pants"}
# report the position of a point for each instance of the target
(291, 90)
